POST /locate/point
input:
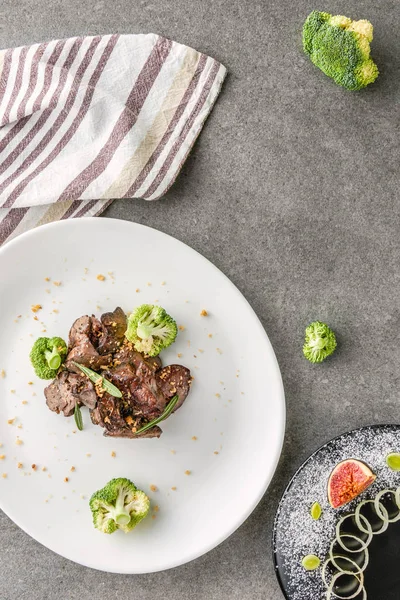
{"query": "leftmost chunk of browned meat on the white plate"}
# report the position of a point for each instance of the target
(67, 390)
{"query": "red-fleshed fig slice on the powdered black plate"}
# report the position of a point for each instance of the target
(347, 481)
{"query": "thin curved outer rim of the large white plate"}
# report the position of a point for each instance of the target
(281, 407)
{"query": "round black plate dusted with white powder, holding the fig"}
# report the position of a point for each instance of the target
(296, 534)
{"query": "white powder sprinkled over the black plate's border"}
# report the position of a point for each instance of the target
(296, 533)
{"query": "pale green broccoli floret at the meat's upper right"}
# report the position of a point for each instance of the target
(151, 329)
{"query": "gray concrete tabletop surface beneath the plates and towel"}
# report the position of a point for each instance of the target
(292, 190)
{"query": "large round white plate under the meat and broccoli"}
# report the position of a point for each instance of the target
(236, 407)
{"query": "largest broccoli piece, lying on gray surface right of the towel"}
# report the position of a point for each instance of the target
(340, 48)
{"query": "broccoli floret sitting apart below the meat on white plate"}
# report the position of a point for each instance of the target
(118, 505)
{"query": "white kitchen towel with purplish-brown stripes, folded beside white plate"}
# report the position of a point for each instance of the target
(90, 119)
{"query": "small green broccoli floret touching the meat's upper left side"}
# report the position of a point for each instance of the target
(47, 355)
